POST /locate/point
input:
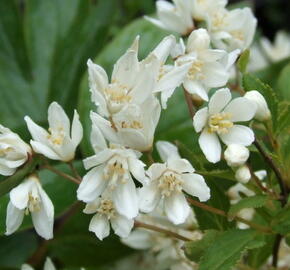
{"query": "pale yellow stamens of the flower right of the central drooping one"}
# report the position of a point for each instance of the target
(170, 182)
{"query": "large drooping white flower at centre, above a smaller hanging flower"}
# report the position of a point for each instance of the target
(112, 167)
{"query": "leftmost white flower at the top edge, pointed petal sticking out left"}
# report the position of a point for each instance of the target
(175, 17)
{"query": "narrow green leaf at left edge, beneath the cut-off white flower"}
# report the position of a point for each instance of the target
(17, 178)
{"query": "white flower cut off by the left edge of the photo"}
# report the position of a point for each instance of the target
(14, 151)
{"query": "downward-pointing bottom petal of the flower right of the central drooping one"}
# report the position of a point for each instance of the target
(176, 208)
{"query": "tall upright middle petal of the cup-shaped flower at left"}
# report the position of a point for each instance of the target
(57, 118)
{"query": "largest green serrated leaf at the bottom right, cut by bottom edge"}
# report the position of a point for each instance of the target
(228, 248)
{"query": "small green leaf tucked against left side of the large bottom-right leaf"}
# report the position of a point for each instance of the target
(194, 250)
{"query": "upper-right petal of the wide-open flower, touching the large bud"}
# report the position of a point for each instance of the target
(241, 109)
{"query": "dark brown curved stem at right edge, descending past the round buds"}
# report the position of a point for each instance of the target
(276, 170)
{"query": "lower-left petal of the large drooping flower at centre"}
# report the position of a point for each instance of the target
(92, 185)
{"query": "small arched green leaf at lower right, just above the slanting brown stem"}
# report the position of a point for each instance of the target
(248, 202)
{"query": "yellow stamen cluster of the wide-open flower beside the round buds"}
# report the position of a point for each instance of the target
(220, 123)
